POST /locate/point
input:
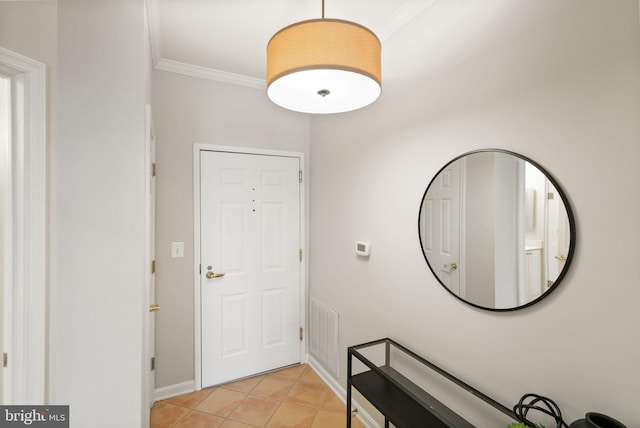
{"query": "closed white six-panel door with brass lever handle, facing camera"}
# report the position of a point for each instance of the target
(250, 280)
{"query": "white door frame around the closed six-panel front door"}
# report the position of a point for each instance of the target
(197, 148)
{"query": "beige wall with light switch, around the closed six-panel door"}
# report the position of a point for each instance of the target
(190, 111)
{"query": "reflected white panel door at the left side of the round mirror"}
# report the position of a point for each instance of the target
(440, 228)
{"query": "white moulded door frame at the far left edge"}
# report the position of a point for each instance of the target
(26, 341)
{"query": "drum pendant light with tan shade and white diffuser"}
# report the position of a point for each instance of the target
(323, 66)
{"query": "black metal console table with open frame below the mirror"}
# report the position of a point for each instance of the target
(400, 400)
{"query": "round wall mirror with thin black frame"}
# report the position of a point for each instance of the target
(496, 230)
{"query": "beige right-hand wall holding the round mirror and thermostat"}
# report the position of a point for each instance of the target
(558, 82)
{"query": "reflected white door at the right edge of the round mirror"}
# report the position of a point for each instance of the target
(557, 234)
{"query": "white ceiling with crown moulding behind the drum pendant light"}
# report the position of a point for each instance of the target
(226, 39)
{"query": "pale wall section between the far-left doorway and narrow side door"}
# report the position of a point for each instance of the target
(97, 215)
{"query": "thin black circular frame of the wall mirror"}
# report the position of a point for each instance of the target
(570, 216)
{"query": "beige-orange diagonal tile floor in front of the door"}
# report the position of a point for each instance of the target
(294, 397)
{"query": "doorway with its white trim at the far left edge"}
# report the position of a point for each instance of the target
(23, 228)
